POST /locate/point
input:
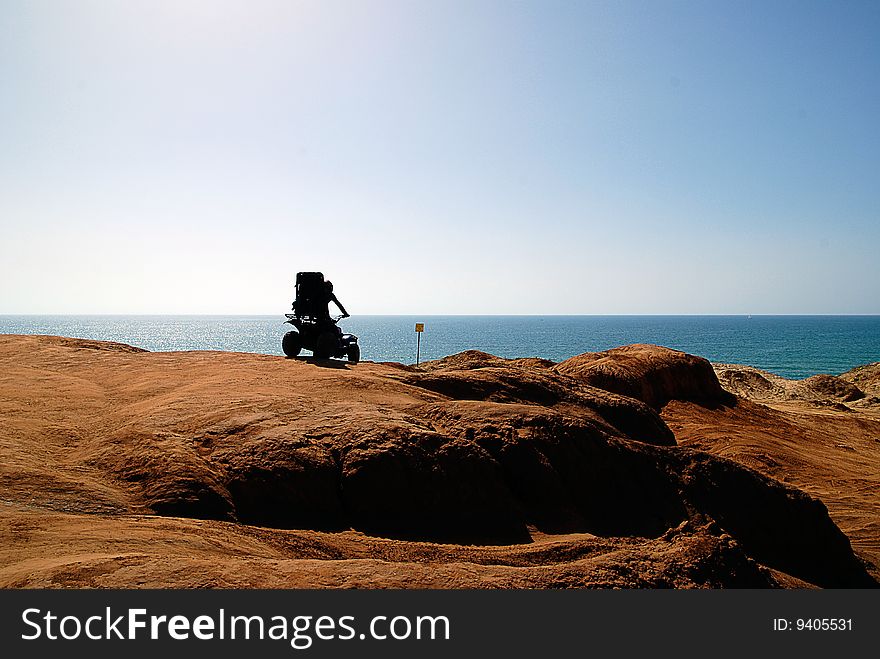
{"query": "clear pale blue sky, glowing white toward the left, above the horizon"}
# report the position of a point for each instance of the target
(440, 157)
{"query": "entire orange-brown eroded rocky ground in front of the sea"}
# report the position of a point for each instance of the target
(636, 467)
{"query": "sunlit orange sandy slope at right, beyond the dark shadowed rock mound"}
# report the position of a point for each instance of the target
(825, 446)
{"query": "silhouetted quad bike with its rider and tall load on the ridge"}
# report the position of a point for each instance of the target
(315, 329)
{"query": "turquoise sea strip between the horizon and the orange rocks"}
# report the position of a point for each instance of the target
(792, 346)
